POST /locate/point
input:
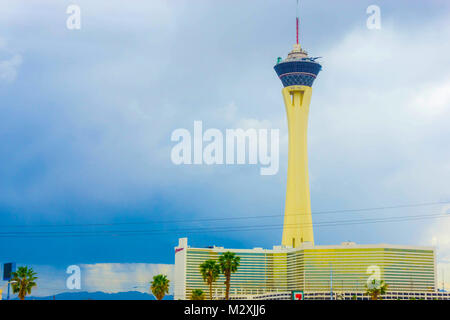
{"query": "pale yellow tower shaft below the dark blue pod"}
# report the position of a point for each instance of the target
(297, 216)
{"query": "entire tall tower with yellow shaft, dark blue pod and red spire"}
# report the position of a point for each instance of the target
(297, 73)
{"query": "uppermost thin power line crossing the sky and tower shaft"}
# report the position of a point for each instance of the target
(226, 218)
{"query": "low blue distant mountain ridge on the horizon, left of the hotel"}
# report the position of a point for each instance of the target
(83, 295)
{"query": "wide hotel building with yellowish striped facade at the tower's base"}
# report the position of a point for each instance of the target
(317, 271)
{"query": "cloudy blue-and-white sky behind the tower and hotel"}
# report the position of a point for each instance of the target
(86, 118)
